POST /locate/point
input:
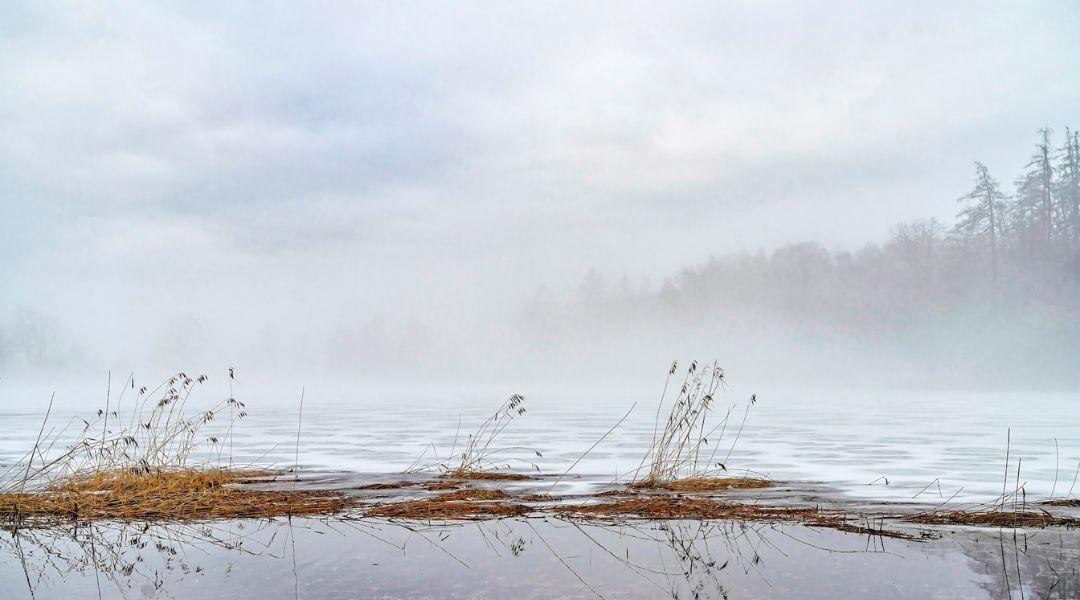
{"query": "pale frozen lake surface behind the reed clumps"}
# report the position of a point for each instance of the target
(928, 445)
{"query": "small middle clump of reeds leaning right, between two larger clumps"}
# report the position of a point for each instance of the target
(480, 457)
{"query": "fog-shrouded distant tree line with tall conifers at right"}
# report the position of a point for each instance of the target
(1011, 253)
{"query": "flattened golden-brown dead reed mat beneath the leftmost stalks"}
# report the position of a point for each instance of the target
(187, 495)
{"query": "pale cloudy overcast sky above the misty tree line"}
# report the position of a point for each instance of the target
(277, 165)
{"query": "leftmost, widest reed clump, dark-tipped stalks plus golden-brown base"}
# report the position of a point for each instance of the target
(154, 462)
